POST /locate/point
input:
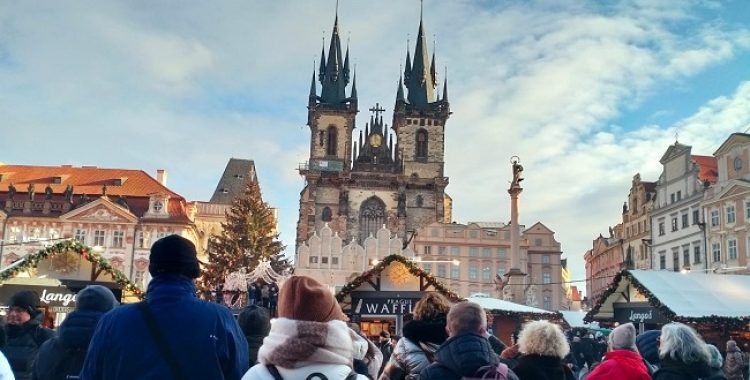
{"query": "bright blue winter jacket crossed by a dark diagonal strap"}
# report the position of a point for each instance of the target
(203, 336)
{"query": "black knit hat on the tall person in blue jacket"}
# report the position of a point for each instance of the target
(174, 255)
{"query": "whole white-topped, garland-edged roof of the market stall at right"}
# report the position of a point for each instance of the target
(690, 296)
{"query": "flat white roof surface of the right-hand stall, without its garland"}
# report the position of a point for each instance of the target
(698, 294)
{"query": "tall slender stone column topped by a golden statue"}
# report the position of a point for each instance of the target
(515, 276)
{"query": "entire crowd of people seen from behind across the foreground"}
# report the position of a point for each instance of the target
(175, 335)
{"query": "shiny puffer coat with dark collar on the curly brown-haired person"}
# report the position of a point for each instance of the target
(415, 350)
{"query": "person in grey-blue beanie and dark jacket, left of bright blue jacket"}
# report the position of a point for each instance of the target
(64, 354)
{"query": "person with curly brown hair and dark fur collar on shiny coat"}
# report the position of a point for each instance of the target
(422, 337)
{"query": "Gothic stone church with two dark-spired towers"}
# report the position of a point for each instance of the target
(361, 178)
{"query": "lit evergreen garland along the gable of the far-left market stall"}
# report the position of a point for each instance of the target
(32, 261)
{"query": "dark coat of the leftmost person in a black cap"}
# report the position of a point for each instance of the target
(23, 345)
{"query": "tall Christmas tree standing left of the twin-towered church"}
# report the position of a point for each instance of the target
(248, 235)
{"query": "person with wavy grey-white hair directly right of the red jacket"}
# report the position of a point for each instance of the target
(682, 354)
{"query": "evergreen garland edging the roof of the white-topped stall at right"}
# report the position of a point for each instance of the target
(660, 306)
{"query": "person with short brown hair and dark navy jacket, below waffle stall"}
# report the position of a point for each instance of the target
(467, 350)
